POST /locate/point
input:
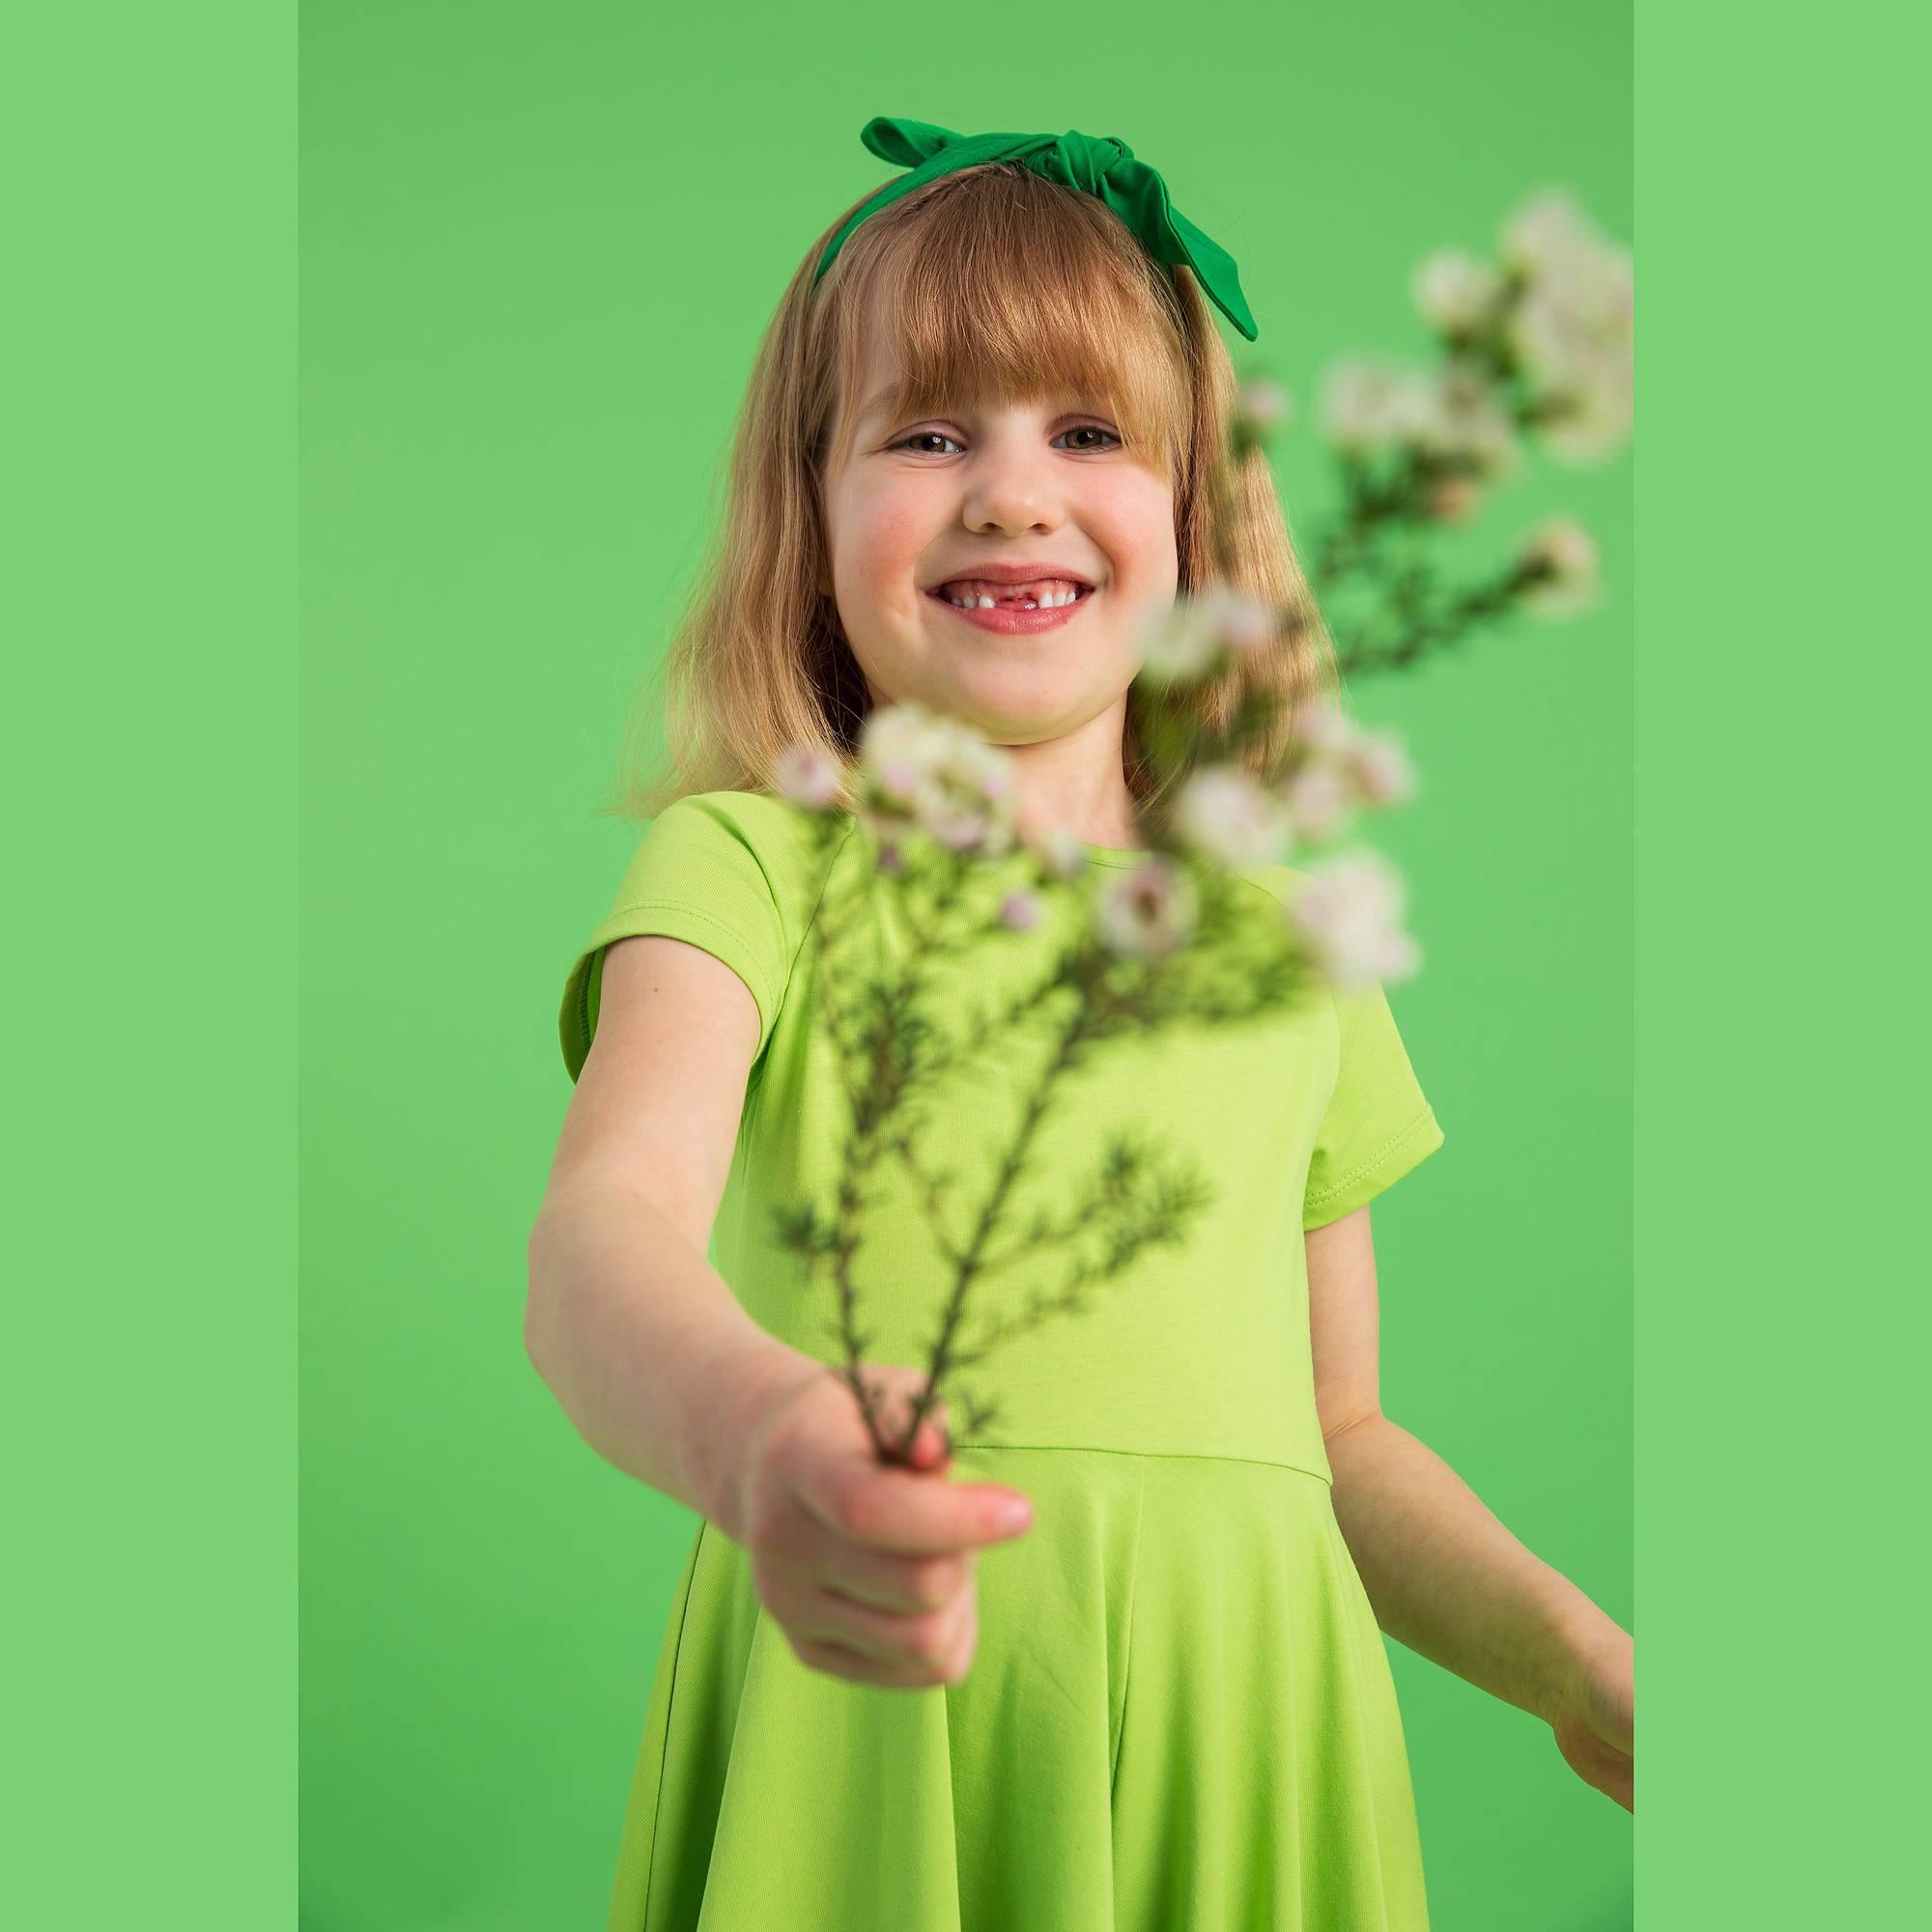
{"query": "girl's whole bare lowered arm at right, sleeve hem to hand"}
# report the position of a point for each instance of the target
(1440, 1570)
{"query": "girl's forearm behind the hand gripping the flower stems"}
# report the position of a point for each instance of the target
(646, 1348)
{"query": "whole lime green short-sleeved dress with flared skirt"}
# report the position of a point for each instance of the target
(1179, 1715)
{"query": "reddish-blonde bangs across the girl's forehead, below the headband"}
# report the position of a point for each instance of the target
(1008, 289)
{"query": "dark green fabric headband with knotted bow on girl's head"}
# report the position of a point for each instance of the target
(1094, 165)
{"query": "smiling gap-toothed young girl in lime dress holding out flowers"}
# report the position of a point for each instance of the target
(1170, 1707)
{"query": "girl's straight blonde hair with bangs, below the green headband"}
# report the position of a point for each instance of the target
(1008, 287)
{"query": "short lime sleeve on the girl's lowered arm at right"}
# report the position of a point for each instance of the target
(1377, 1125)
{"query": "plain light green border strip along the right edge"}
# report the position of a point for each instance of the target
(1780, 1152)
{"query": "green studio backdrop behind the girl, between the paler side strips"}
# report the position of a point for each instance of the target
(538, 250)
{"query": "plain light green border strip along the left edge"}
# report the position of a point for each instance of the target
(152, 1062)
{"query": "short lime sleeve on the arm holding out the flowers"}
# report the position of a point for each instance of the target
(698, 876)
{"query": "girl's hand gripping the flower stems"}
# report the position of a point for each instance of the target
(867, 1566)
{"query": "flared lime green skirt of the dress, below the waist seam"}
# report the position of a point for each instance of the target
(1179, 1719)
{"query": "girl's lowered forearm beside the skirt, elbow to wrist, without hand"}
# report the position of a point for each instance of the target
(1448, 1579)
